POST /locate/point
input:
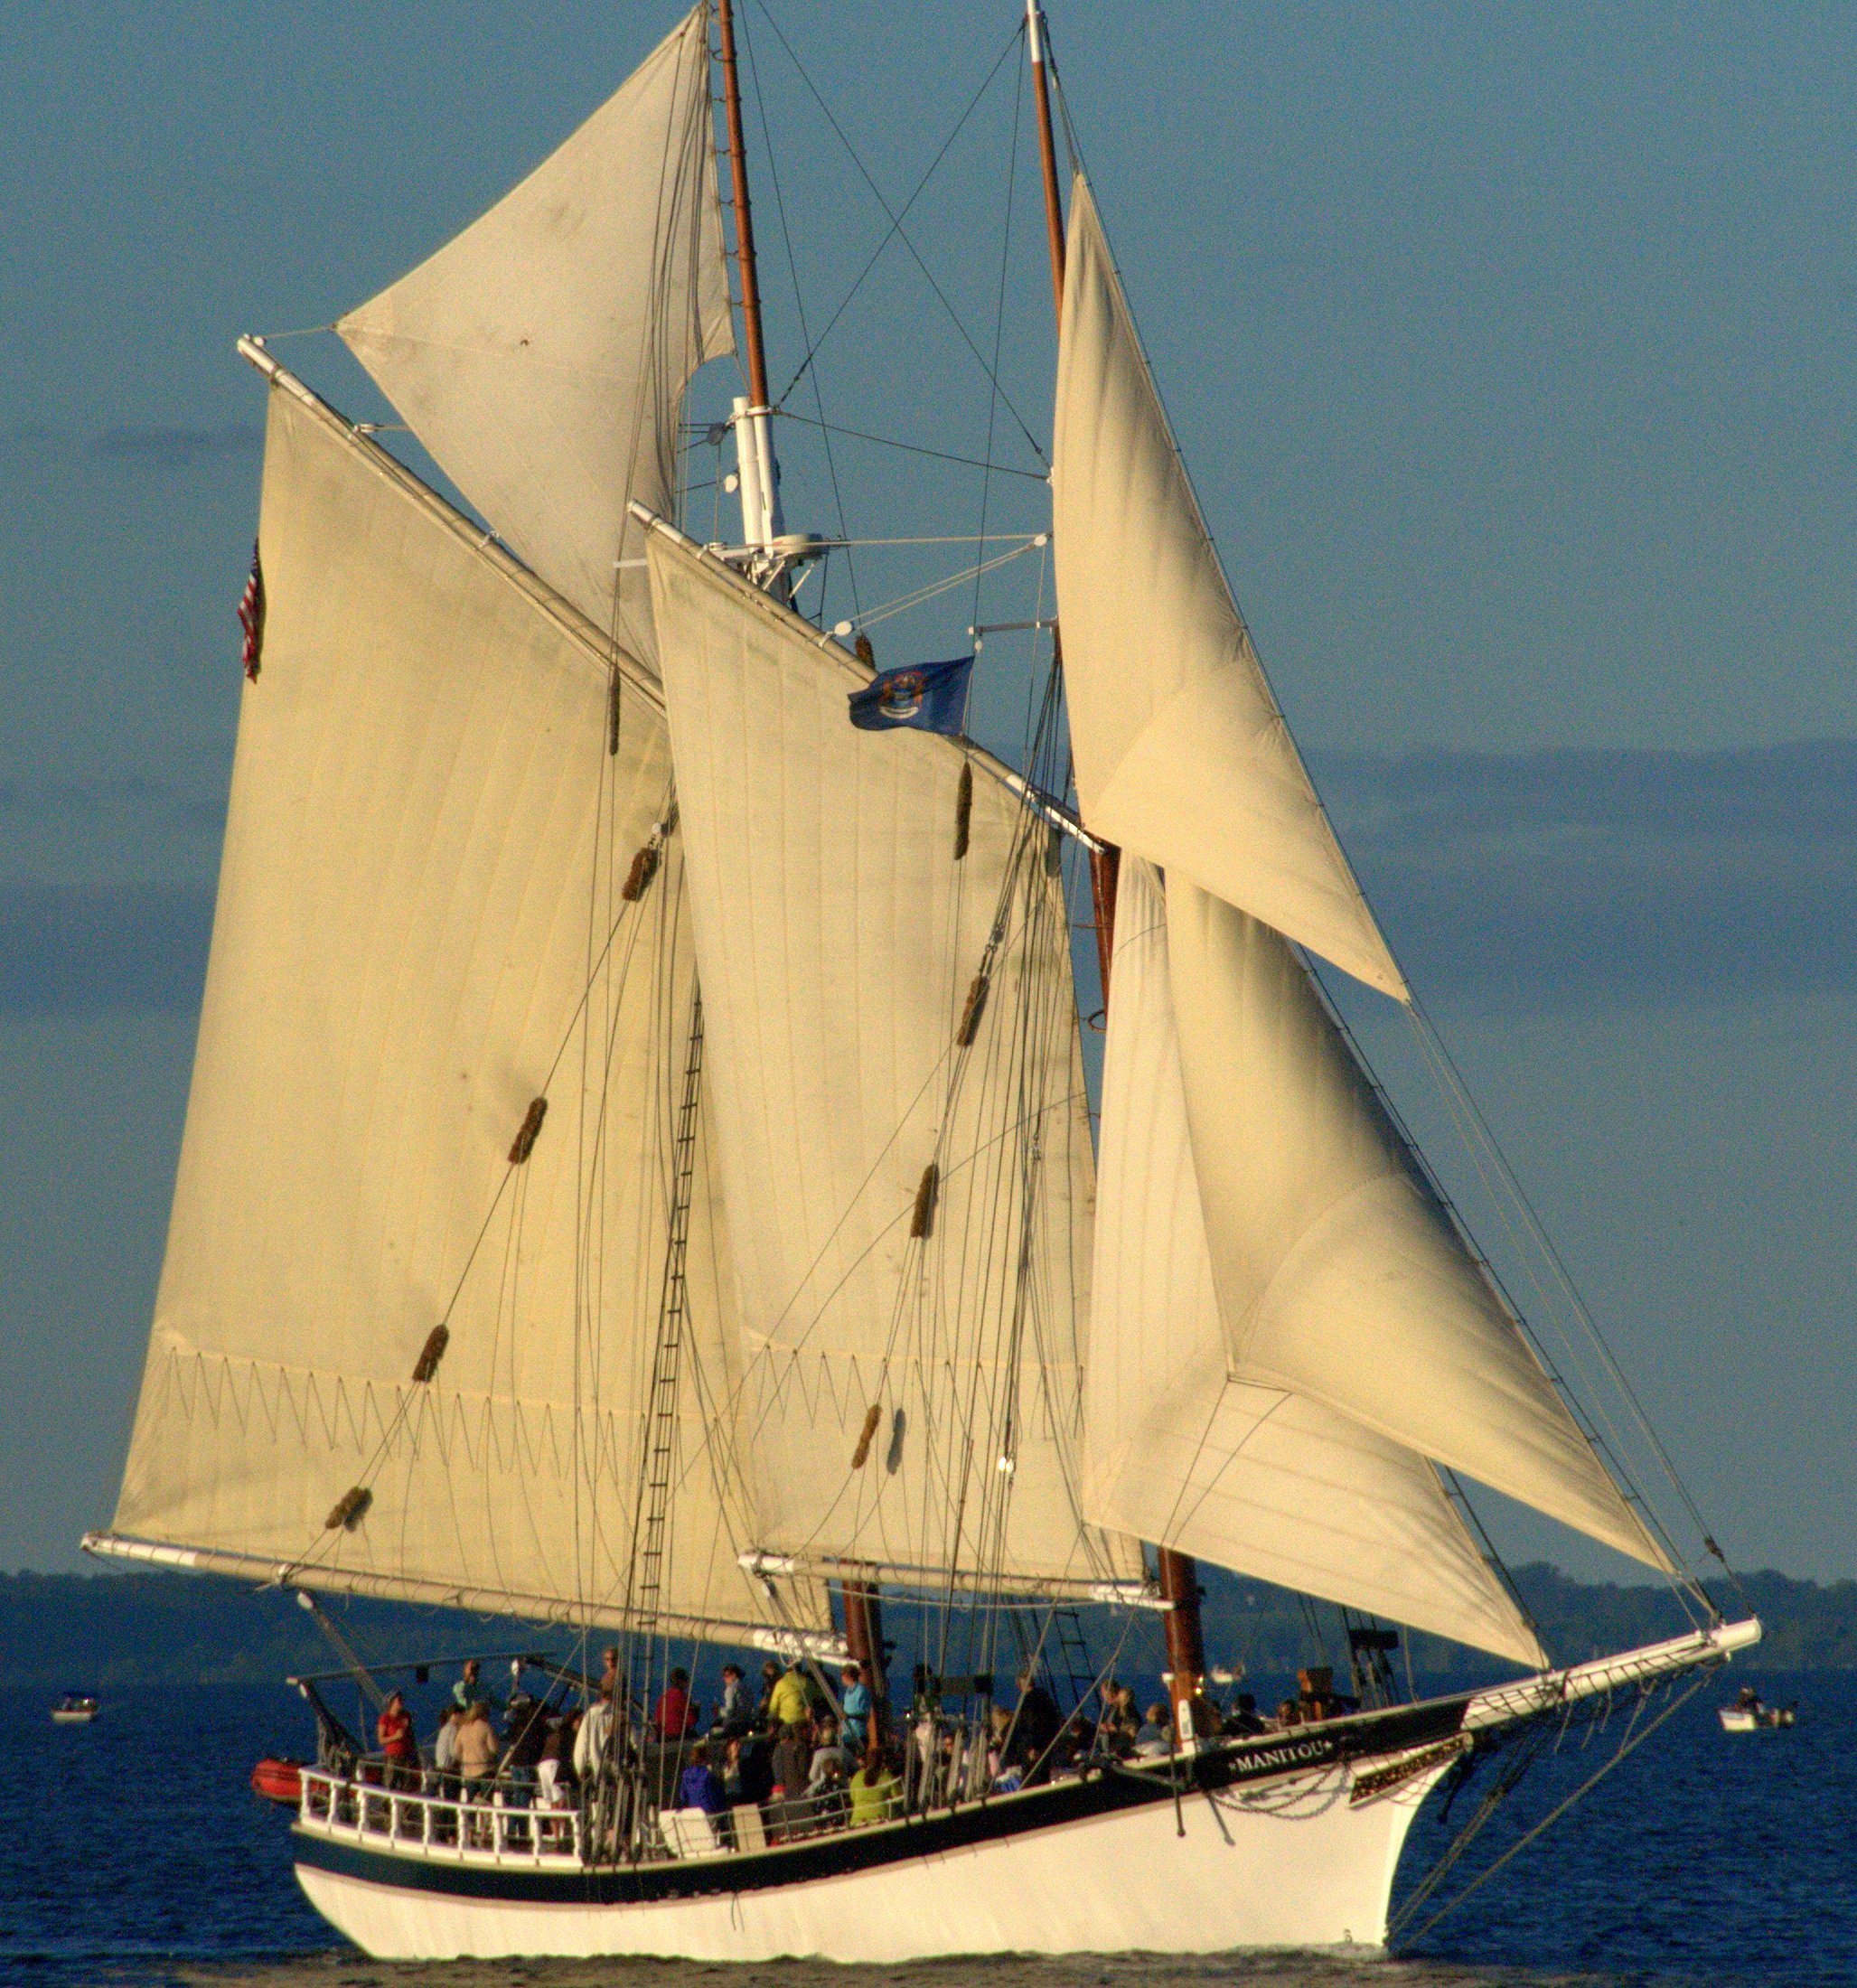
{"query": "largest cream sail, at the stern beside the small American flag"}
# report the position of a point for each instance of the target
(422, 935)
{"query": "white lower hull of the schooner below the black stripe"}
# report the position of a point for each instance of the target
(1295, 1864)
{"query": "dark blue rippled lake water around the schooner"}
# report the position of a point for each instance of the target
(132, 1856)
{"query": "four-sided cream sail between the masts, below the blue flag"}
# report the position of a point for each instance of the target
(908, 1210)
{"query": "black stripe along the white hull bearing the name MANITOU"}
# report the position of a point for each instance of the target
(862, 1850)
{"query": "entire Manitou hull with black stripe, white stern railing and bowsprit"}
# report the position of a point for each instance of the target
(1289, 1840)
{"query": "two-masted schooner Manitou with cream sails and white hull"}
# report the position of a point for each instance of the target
(641, 1170)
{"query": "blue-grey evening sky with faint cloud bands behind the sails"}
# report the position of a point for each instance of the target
(1512, 355)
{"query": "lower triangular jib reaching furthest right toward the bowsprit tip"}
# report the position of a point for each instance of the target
(1339, 1273)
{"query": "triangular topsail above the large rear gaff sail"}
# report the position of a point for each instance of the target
(542, 355)
